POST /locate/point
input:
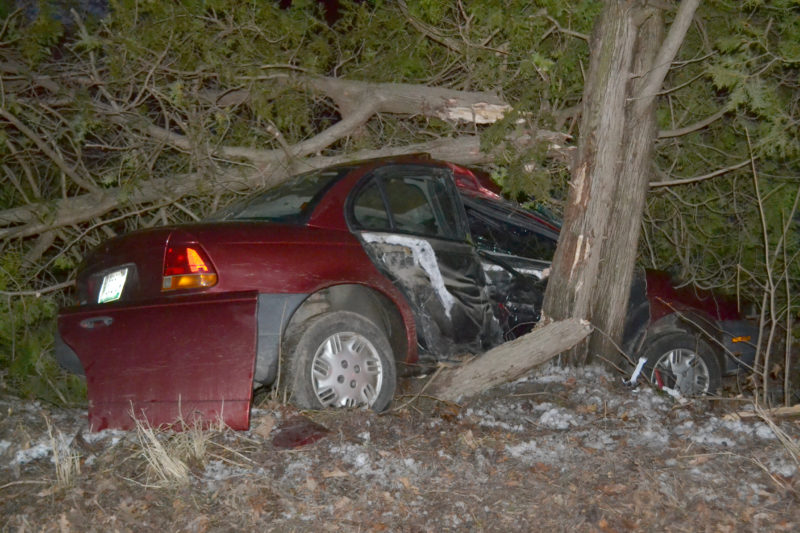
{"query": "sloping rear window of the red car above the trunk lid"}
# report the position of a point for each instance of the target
(291, 202)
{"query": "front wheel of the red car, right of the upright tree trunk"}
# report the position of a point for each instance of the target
(683, 362)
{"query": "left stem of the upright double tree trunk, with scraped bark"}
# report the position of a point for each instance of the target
(576, 264)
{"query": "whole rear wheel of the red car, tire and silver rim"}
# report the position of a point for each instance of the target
(339, 359)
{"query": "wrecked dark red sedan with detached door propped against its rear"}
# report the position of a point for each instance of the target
(329, 286)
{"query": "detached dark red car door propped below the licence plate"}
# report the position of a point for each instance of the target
(184, 359)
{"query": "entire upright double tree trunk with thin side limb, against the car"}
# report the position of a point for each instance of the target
(593, 265)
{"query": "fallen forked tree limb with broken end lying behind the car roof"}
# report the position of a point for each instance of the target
(358, 102)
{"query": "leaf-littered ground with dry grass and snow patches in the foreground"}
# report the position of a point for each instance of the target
(563, 450)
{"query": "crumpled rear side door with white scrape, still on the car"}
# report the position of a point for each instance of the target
(412, 225)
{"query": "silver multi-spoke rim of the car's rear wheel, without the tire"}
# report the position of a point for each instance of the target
(346, 371)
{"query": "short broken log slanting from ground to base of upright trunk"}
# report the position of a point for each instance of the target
(509, 361)
